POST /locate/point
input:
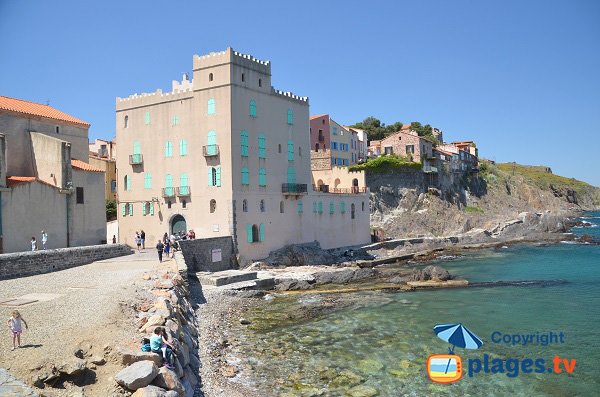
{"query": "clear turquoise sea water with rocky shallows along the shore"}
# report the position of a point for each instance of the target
(382, 344)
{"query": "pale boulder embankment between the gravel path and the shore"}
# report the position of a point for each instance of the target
(164, 303)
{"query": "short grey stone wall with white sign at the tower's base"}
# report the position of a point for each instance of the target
(208, 254)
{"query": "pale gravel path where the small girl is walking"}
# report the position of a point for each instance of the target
(70, 306)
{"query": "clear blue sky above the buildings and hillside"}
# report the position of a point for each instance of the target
(521, 78)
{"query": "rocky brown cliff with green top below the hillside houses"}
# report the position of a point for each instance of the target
(407, 203)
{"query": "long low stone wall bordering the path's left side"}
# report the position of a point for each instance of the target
(21, 264)
